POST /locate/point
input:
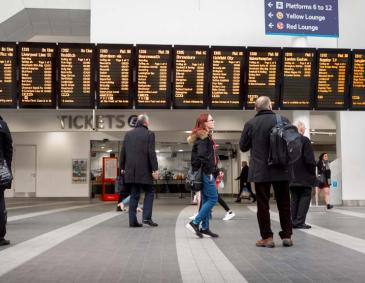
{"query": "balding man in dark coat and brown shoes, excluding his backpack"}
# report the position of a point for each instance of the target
(256, 137)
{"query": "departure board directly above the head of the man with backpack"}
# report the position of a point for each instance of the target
(263, 73)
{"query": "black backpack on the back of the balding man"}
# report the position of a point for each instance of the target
(285, 143)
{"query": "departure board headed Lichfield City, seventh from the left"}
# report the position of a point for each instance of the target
(227, 66)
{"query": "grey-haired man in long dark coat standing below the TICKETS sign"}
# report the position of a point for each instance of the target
(138, 163)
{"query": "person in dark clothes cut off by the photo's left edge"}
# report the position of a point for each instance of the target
(6, 152)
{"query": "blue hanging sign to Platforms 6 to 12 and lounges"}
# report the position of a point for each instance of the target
(302, 17)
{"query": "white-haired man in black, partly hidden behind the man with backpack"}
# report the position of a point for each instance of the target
(304, 178)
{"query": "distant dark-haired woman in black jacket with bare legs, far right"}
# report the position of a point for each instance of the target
(324, 178)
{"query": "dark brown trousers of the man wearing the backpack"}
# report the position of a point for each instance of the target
(281, 190)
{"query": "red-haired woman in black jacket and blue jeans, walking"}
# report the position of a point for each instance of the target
(204, 156)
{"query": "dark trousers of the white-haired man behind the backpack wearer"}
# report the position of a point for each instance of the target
(300, 201)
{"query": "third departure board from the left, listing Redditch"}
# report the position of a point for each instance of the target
(76, 76)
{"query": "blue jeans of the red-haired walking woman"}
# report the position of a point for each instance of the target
(209, 196)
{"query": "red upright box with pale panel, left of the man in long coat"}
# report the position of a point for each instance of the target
(110, 173)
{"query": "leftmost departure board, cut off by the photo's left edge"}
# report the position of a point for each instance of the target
(8, 84)
